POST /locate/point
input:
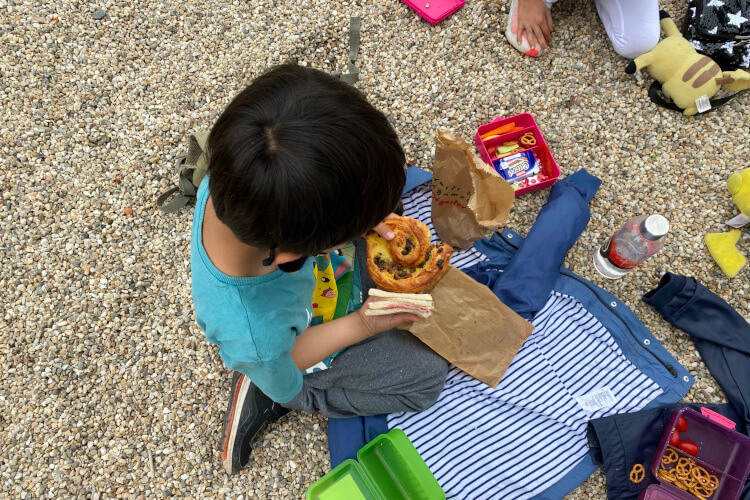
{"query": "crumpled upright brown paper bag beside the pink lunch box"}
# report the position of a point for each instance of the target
(468, 196)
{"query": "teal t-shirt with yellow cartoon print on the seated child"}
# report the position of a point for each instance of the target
(255, 320)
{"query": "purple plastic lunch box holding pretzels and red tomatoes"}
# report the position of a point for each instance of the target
(721, 451)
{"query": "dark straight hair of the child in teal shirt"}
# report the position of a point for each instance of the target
(302, 162)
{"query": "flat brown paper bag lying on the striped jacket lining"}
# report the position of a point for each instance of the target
(471, 328)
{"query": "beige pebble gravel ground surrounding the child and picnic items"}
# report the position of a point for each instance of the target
(108, 388)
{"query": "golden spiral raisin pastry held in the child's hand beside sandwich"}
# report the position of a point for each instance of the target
(408, 263)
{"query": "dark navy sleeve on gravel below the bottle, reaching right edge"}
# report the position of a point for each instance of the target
(721, 334)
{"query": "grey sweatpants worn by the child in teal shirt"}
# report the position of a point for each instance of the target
(390, 372)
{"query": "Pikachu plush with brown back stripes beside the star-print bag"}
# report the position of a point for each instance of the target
(686, 76)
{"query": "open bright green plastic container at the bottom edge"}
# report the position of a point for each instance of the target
(389, 468)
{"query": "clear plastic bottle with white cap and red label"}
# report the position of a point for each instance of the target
(640, 238)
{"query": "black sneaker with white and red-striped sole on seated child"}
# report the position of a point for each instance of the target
(248, 413)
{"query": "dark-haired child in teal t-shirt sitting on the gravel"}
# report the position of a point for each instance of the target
(301, 164)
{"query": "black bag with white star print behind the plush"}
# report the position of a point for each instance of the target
(721, 30)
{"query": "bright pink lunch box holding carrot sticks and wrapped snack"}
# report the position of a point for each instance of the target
(549, 166)
